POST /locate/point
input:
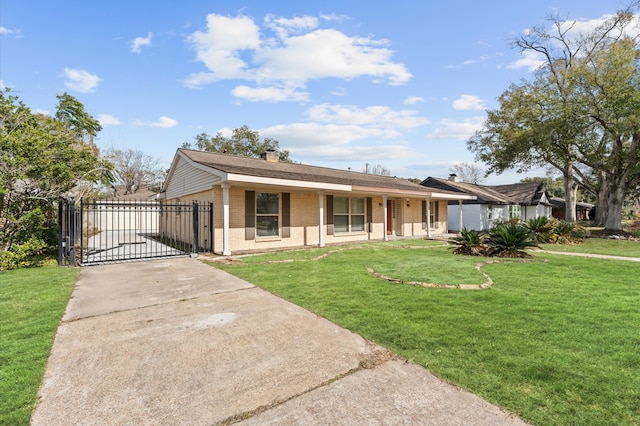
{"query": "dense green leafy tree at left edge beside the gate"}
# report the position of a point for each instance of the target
(41, 159)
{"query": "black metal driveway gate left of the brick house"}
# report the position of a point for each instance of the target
(99, 231)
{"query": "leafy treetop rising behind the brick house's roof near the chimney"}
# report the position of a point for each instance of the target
(243, 142)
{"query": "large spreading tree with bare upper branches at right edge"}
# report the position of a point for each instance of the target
(577, 115)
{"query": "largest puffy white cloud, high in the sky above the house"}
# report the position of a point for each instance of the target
(297, 52)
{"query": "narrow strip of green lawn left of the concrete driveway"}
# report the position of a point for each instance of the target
(32, 301)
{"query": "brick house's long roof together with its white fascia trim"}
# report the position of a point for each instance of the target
(239, 168)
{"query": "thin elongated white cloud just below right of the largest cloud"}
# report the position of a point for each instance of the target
(373, 116)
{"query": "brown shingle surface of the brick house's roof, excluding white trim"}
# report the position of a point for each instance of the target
(293, 171)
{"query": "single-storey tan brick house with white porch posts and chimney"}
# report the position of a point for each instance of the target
(263, 204)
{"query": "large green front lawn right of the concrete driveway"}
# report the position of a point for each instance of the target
(555, 340)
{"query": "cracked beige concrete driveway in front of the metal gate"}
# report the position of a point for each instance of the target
(175, 341)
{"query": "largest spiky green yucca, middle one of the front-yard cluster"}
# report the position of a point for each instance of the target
(510, 240)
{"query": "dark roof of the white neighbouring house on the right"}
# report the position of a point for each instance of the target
(526, 193)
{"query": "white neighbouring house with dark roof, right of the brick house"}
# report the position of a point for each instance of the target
(522, 201)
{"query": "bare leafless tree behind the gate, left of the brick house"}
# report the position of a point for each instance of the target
(135, 170)
